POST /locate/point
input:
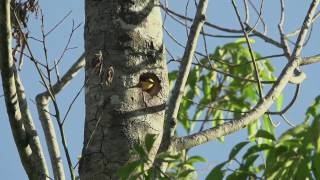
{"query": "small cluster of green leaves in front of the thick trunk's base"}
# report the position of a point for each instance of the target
(180, 166)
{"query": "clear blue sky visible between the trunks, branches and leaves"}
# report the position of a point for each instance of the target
(219, 12)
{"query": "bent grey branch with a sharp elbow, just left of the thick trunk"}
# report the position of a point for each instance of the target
(43, 100)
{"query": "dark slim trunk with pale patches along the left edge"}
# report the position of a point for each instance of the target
(26, 152)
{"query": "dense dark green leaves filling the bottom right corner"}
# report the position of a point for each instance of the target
(294, 155)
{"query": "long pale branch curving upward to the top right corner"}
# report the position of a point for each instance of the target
(202, 137)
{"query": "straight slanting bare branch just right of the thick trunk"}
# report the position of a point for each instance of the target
(177, 93)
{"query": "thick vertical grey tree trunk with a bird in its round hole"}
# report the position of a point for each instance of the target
(123, 44)
